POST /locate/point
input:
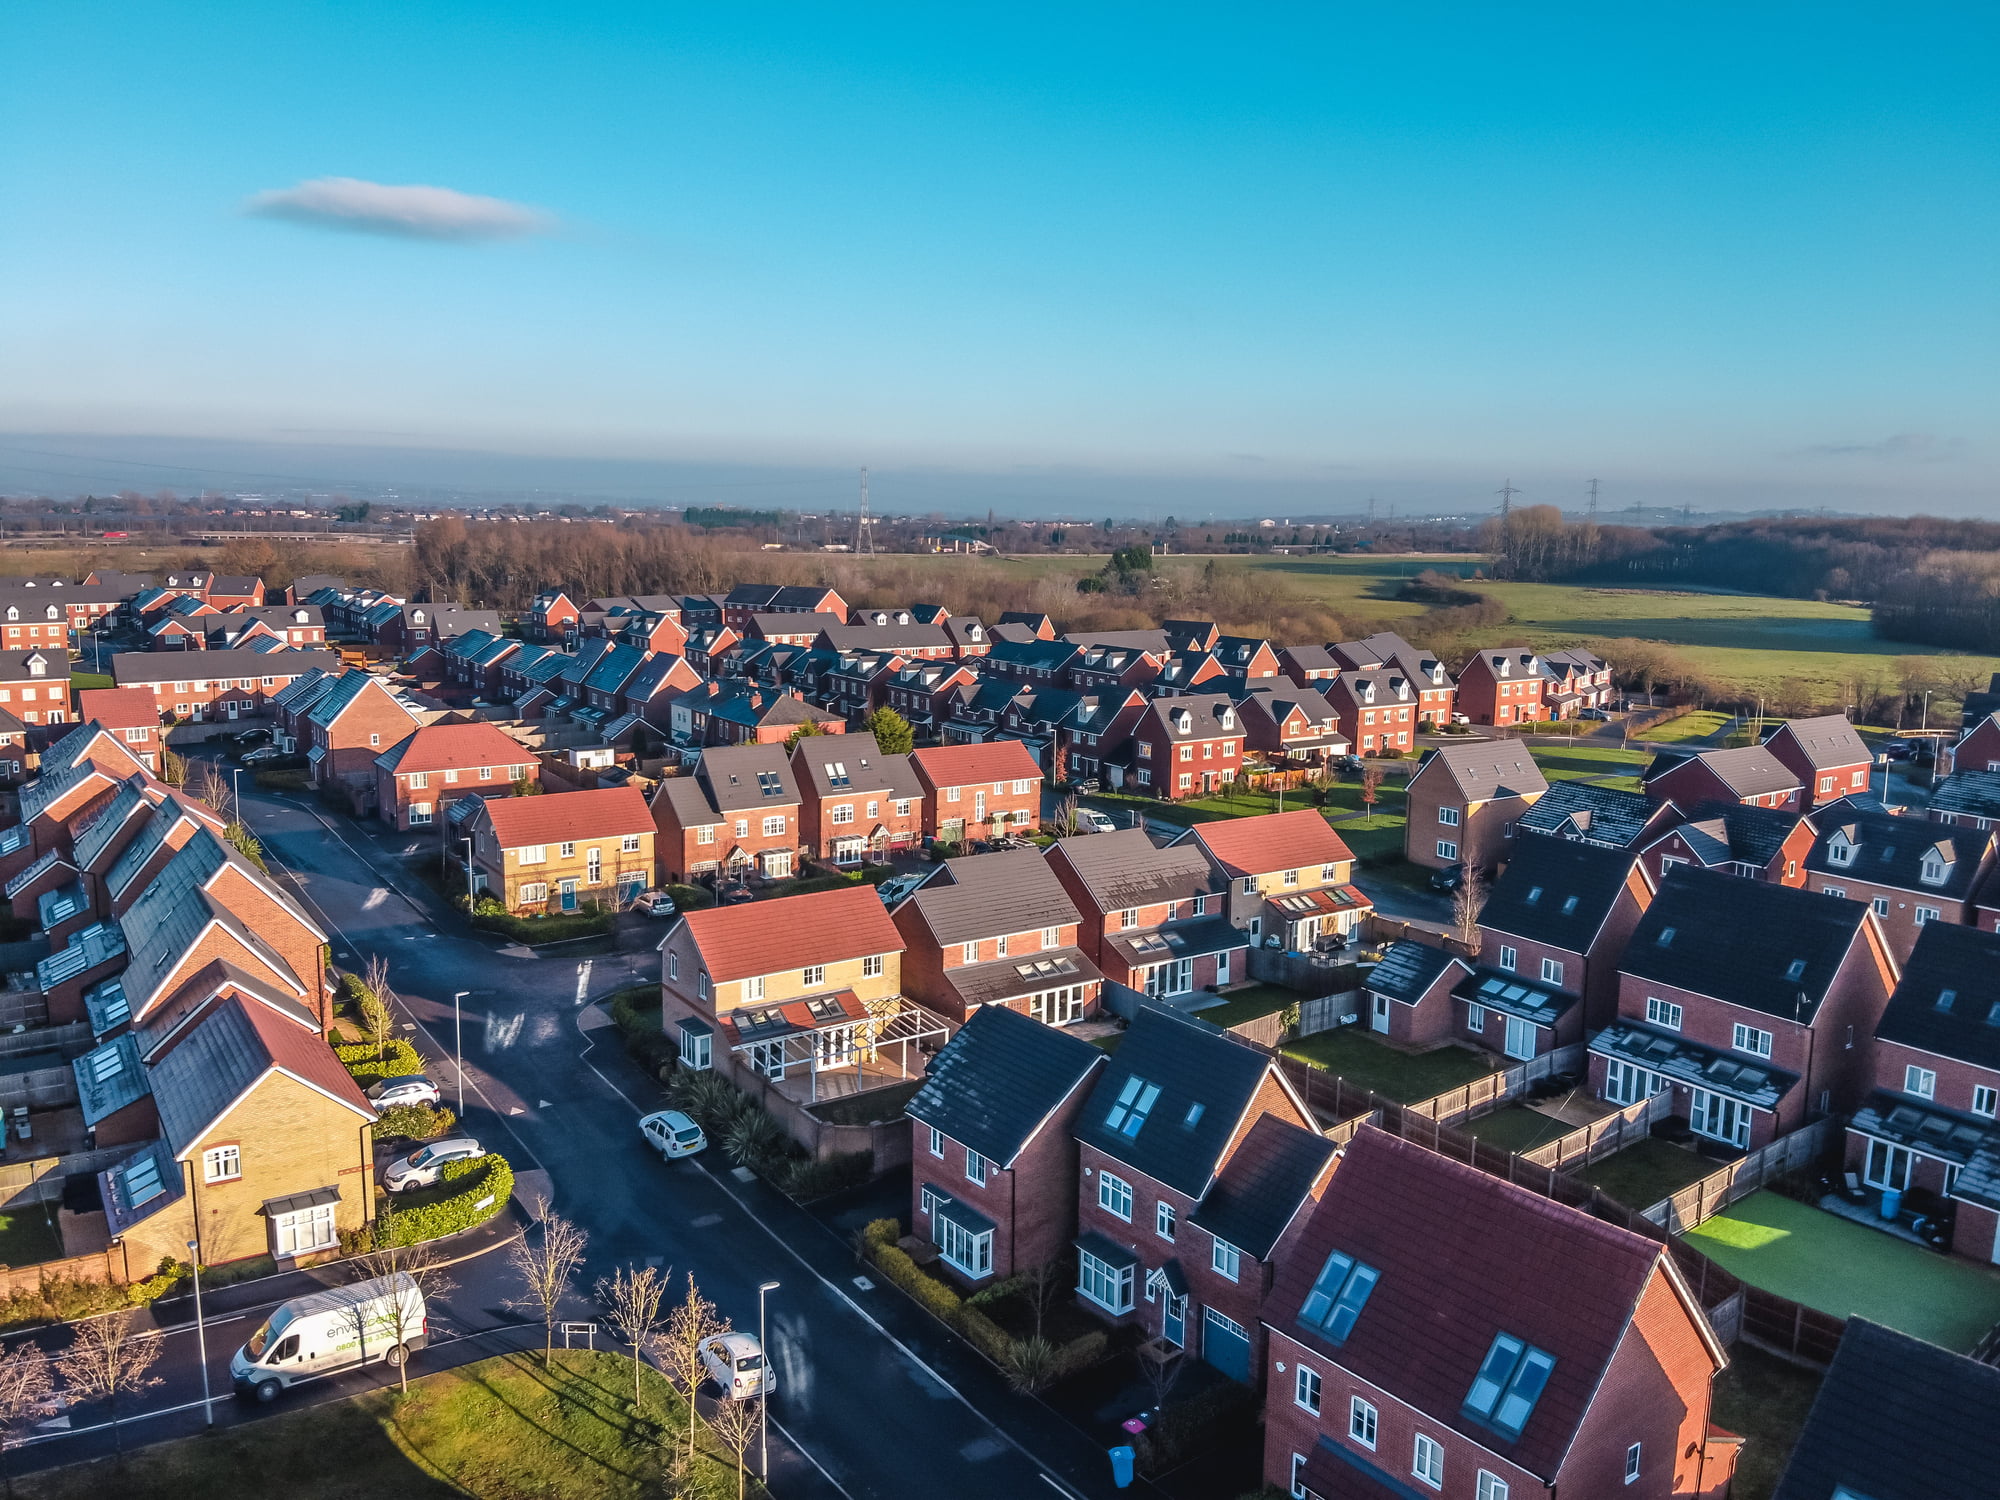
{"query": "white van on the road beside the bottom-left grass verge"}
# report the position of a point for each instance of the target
(339, 1329)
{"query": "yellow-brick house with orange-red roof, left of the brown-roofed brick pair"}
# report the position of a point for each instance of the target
(563, 851)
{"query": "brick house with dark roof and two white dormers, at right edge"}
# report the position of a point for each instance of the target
(1909, 871)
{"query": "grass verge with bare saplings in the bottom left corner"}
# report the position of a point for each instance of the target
(501, 1427)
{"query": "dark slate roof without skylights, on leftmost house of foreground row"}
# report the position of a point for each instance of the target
(999, 1081)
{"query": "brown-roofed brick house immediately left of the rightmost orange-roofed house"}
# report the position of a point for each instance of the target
(1153, 919)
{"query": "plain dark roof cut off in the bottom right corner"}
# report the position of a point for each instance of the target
(1899, 1419)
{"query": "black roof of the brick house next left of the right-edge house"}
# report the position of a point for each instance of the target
(1751, 943)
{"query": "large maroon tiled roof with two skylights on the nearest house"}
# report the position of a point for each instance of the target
(1465, 1257)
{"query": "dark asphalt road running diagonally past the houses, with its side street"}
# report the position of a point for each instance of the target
(871, 1389)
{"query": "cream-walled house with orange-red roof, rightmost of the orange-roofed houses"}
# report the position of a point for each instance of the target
(1291, 877)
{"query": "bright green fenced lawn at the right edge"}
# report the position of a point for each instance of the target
(1851, 1271)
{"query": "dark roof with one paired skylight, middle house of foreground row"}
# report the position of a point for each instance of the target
(1205, 1081)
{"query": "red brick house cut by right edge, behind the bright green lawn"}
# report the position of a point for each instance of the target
(1931, 1121)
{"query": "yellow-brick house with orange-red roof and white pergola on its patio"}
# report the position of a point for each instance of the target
(801, 997)
